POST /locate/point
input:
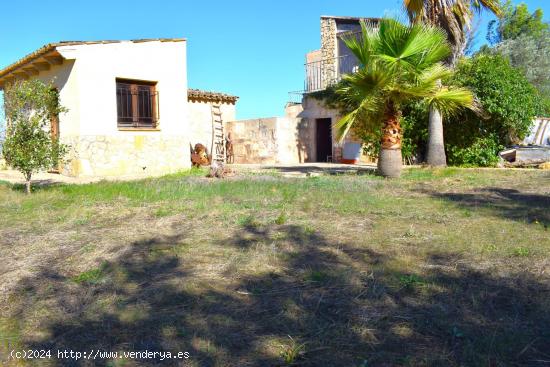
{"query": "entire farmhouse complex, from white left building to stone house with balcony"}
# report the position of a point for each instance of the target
(130, 110)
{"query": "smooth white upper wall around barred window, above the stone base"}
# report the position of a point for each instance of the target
(98, 66)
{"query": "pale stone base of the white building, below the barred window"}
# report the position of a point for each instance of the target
(133, 154)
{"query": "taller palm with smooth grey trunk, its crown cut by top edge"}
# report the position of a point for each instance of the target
(455, 18)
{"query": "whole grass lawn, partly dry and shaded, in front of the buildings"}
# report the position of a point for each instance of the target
(440, 268)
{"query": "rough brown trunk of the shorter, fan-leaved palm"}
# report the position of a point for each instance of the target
(390, 160)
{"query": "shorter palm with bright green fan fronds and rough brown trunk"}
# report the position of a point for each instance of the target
(398, 63)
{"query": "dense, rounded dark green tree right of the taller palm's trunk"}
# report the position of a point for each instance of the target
(509, 101)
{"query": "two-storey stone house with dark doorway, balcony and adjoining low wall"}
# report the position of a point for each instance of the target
(305, 133)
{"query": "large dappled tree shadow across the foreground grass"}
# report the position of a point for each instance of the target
(329, 304)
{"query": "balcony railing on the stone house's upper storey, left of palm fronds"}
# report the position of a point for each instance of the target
(324, 73)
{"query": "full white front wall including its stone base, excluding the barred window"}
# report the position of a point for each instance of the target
(90, 126)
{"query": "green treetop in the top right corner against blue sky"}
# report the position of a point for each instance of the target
(515, 22)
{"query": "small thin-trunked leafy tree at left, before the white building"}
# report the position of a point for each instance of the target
(29, 146)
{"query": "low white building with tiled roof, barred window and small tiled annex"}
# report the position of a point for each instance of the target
(129, 108)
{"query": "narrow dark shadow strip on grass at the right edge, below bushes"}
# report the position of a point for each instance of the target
(507, 203)
